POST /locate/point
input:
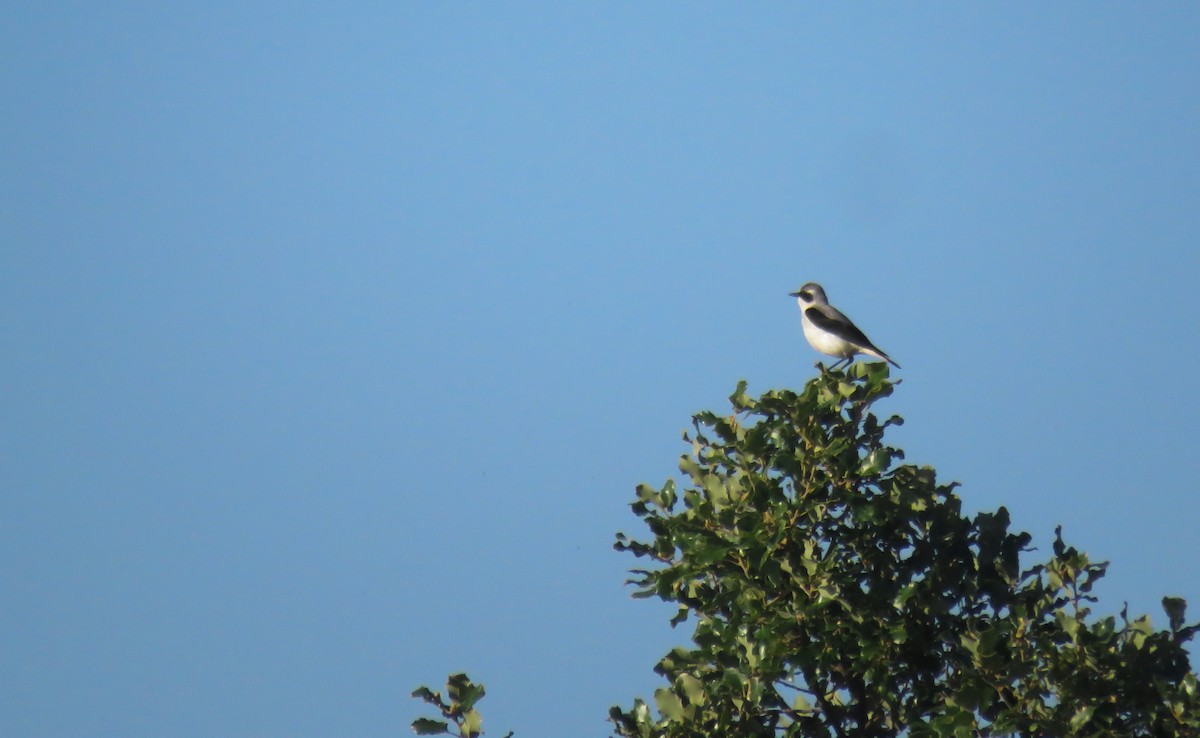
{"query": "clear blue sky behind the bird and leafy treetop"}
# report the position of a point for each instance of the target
(337, 337)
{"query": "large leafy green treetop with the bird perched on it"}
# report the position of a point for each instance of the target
(838, 592)
